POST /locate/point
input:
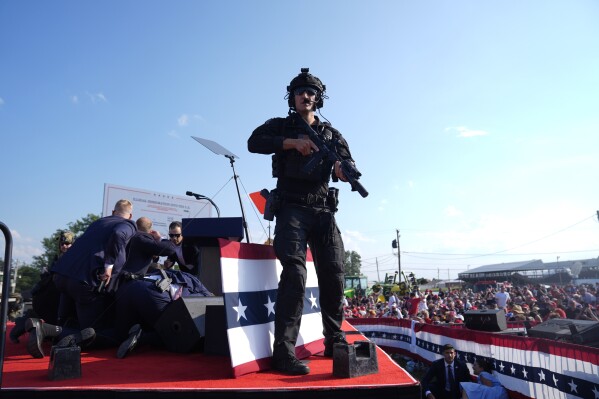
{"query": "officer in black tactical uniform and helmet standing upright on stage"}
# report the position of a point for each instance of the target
(304, 207)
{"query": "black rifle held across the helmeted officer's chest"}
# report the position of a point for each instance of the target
(351, 173)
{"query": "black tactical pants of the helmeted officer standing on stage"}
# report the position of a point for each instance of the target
(296, 227)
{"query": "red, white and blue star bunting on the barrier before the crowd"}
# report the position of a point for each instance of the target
(532, 367)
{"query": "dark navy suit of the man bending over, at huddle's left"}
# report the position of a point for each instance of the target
(75, 273)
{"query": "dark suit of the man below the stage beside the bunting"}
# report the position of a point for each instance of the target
(435, 379)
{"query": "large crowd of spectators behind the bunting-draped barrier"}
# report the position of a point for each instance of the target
(533, 303)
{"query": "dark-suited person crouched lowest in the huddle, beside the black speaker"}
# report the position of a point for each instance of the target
(139, 304)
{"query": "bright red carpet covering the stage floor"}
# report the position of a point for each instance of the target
(155, 369)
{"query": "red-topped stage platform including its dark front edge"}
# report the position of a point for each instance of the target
(155, 373)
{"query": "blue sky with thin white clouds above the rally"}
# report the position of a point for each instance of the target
(475, 124)
